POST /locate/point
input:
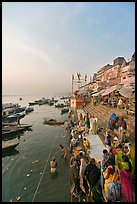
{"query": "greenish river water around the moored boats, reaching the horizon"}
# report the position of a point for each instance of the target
(42, 143)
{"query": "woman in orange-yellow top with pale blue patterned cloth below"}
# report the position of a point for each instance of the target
(111, 185)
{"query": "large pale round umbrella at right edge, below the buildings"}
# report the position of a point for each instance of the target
(128, 92)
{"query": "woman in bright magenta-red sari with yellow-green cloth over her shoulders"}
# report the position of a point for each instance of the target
(126, 180)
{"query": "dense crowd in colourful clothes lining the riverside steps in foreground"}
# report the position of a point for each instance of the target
(117, 166)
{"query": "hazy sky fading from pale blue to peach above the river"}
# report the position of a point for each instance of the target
(44, 43)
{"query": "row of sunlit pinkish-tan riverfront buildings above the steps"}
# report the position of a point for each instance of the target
(110, 75)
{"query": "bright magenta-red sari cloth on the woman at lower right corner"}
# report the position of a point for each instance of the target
(126, 185)
